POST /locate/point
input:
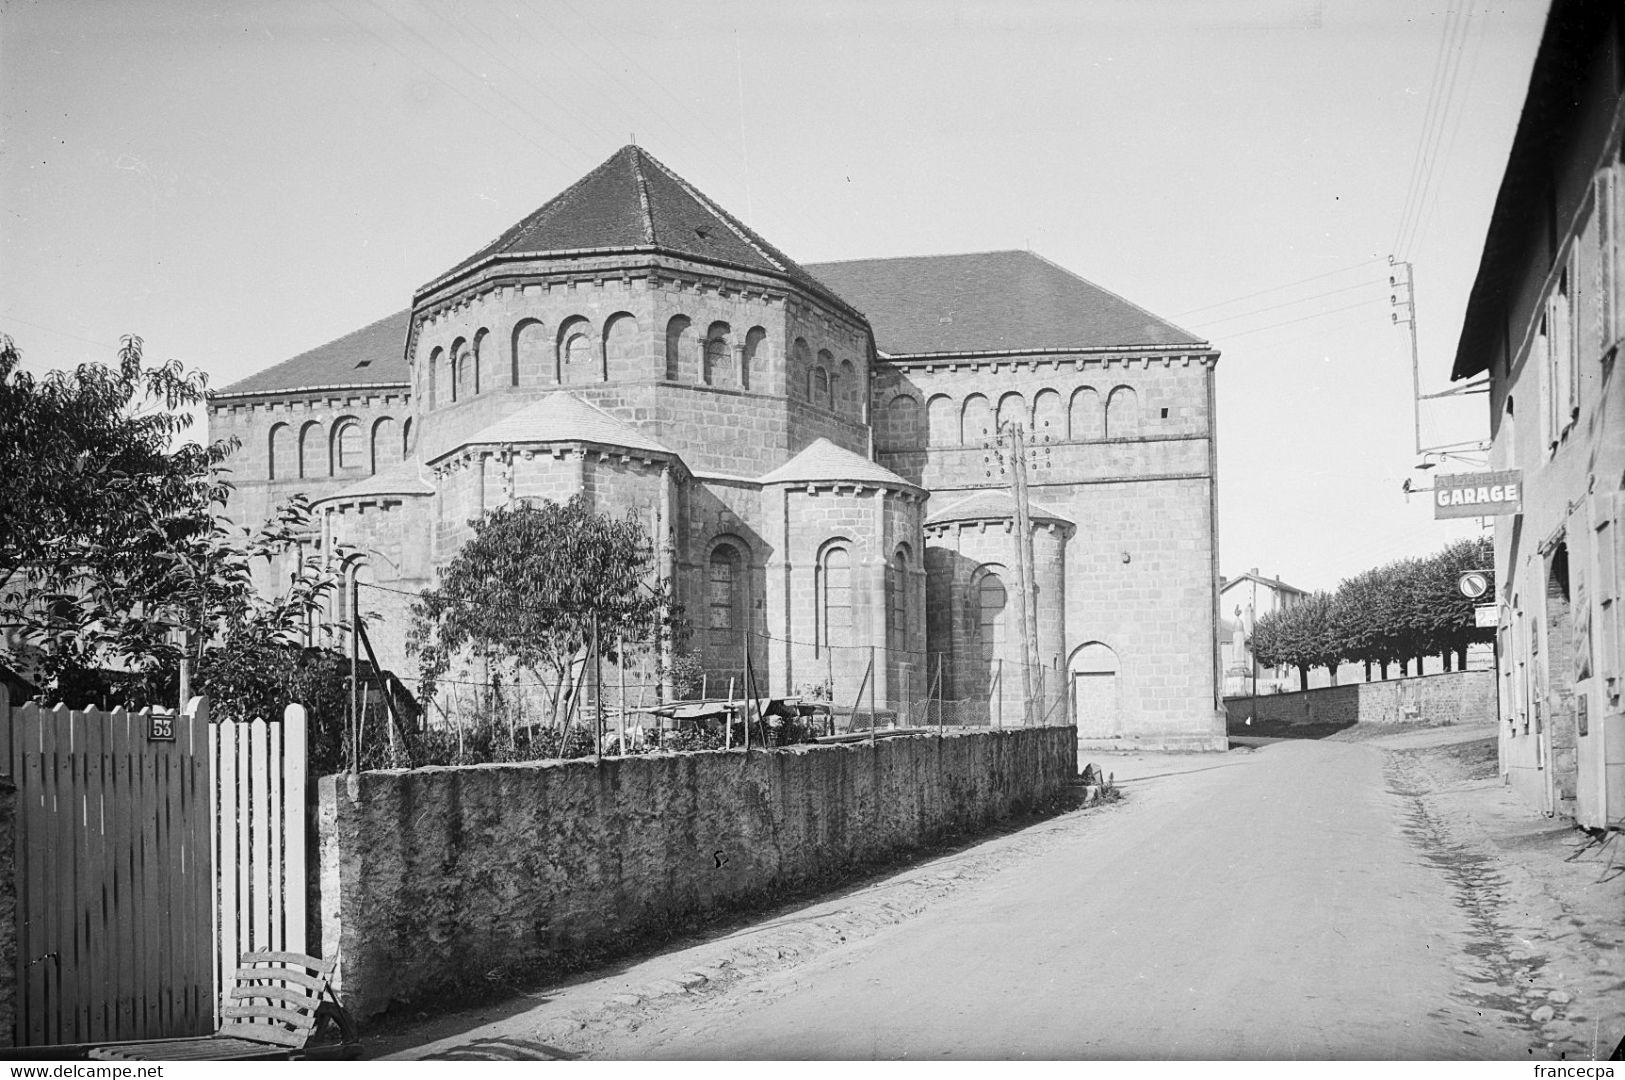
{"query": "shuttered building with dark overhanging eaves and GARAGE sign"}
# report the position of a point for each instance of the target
(1545, 327)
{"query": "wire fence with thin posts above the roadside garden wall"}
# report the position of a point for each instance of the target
(722, 689)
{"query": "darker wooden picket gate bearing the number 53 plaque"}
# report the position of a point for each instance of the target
(113, 871)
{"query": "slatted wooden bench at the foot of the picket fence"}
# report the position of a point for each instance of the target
(282, 1006)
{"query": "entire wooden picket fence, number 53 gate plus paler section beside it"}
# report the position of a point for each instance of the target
(152, 850)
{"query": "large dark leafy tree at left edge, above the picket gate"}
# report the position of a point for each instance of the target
(116, 561)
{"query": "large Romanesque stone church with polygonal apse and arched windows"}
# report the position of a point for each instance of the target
(813, 447)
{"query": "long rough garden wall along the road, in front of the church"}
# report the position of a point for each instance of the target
(440, 878)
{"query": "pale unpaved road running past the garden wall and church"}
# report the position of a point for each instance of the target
(1285, 904)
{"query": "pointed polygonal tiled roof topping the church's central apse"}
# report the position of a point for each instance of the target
(635, 202)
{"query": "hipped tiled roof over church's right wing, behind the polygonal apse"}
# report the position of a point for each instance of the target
(990, 303)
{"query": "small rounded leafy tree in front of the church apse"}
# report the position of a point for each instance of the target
(526, 592)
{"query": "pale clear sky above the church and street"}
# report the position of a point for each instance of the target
(243, 181)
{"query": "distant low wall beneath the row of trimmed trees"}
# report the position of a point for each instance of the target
(1458, 698)
